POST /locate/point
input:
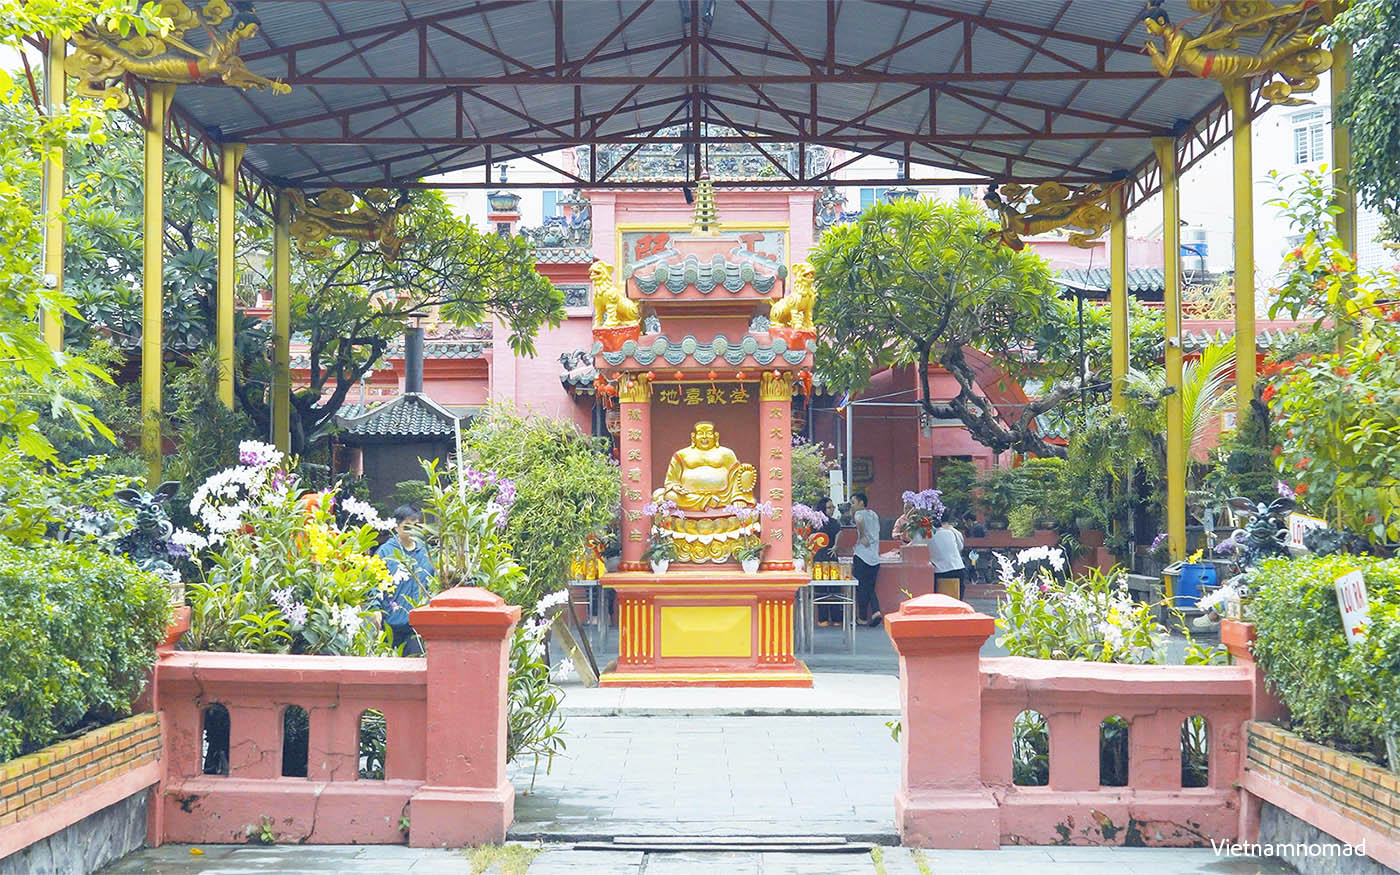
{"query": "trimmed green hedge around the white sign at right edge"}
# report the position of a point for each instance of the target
(1336, 694)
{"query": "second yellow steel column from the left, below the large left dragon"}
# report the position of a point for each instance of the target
(153, 267)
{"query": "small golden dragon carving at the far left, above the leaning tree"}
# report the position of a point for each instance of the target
(376, 220)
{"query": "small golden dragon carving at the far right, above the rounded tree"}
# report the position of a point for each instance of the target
(1056, 206)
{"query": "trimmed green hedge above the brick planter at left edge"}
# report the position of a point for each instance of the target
(80, 633)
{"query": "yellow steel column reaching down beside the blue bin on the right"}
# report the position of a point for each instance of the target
(1172, 309)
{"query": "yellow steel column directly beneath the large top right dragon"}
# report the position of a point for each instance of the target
(1242, 145)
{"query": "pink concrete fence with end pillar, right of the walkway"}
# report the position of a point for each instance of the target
(957, 744)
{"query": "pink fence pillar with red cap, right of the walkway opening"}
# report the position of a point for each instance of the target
(941, 800)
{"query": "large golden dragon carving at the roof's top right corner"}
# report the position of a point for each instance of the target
(1289, 47)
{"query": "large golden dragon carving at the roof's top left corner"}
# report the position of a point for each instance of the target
(103, 58)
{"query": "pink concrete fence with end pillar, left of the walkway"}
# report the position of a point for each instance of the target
(444, 768)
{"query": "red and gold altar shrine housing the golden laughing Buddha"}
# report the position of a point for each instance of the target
(705, 447)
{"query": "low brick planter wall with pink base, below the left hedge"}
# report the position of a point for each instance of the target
(51, 789)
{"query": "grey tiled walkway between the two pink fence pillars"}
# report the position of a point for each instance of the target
(706, 776)
